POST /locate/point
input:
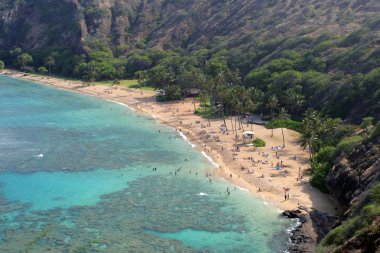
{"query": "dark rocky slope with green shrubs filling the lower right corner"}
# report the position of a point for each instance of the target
(354, 182)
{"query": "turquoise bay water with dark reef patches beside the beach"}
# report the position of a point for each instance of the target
(81, 174)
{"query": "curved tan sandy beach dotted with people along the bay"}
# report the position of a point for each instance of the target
(220, 149)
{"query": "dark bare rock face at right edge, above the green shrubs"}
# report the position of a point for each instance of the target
(354, 174)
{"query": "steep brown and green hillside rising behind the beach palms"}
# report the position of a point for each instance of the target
(326, 50)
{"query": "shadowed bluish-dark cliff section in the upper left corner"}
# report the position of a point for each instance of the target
(39, 24)
